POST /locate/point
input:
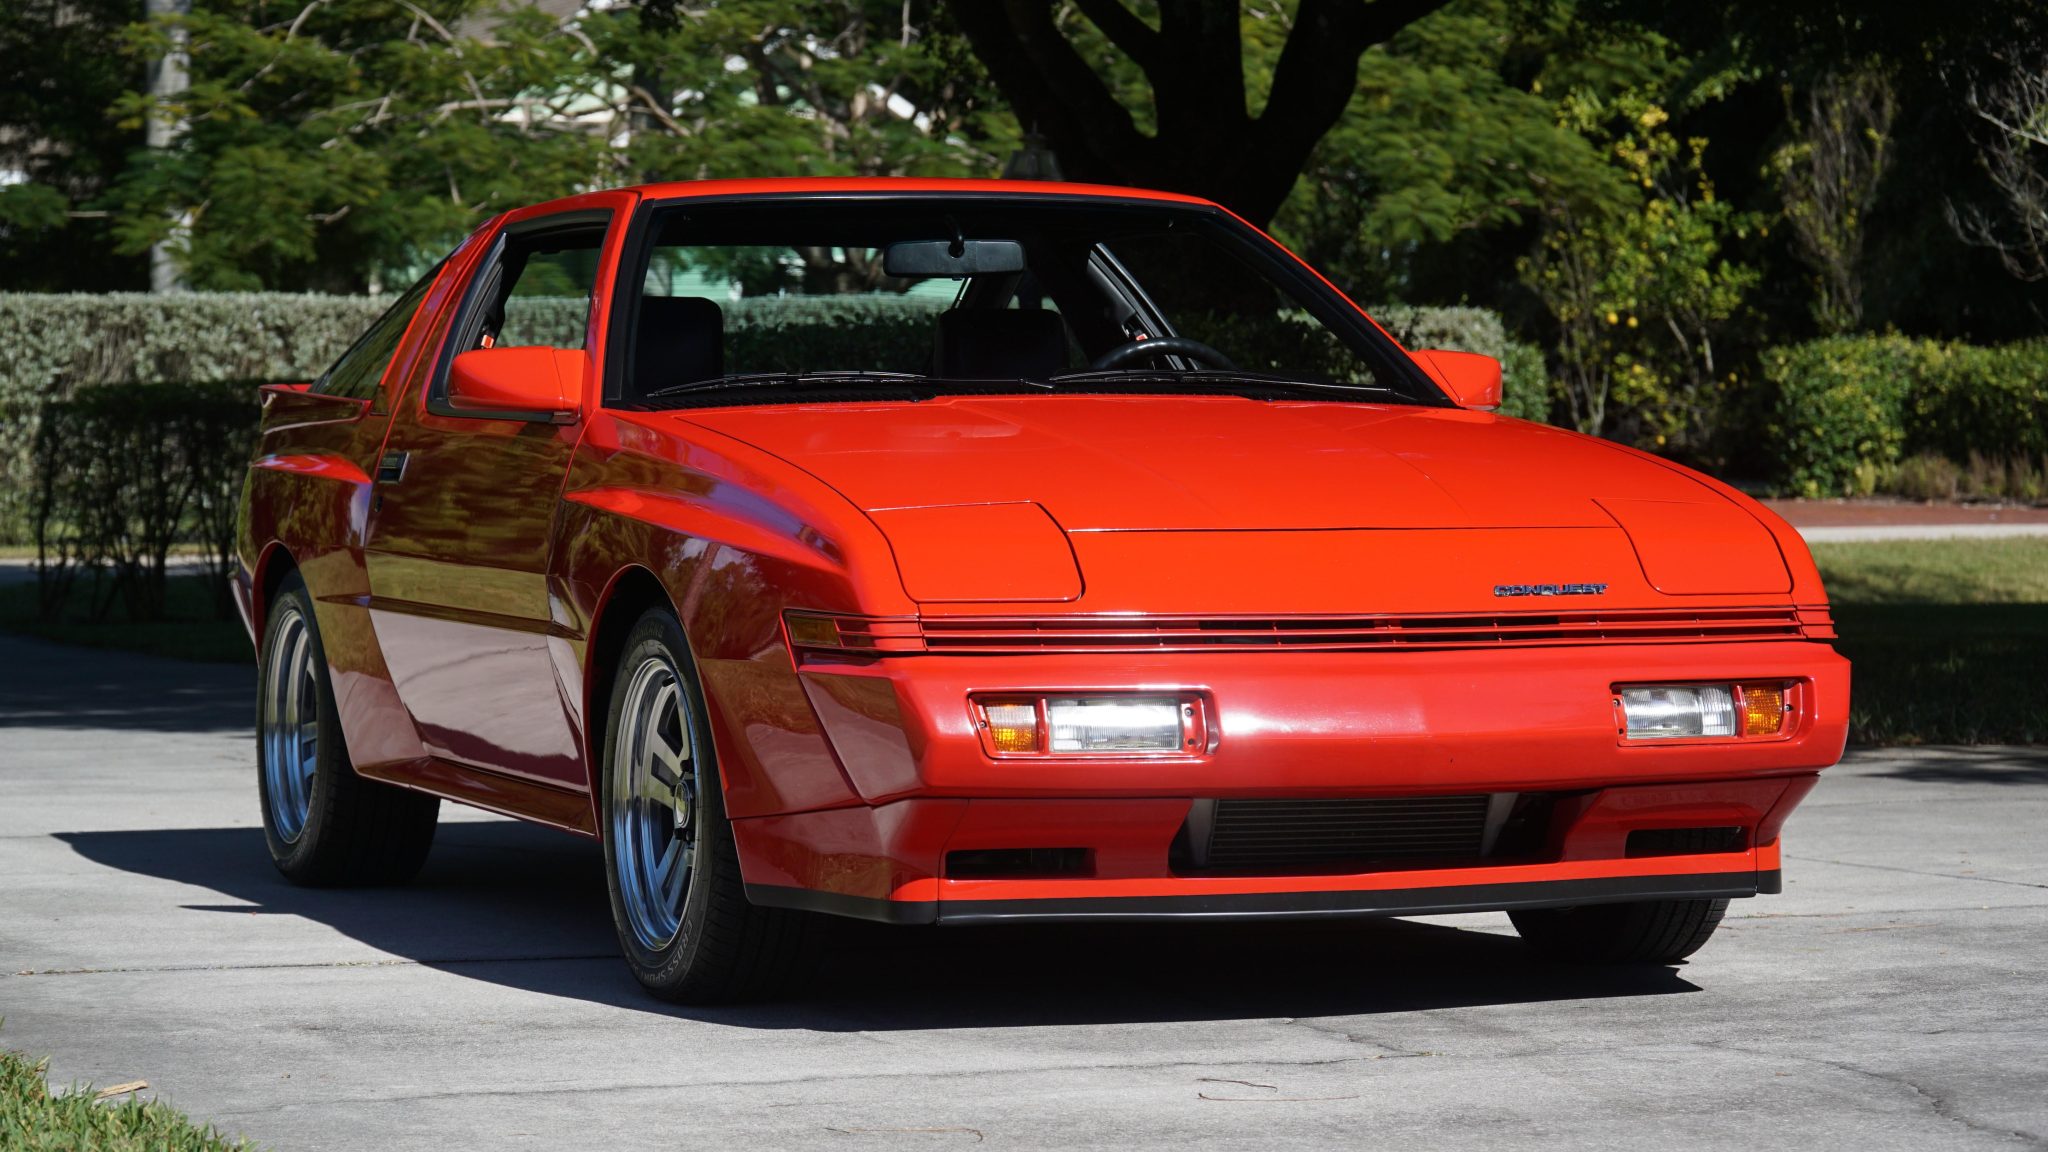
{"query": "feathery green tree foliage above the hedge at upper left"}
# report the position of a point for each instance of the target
(345, 140)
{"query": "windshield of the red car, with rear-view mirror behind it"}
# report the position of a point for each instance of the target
(925, 296)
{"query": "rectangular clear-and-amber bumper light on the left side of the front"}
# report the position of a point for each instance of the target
(1095, 725)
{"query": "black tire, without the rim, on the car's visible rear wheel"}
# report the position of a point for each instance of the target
(353, 831)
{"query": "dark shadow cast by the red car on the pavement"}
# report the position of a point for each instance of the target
(525, 909)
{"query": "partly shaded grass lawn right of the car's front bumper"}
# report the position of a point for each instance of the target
(1949, 639)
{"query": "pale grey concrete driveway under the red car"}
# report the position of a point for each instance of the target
(1891, 999)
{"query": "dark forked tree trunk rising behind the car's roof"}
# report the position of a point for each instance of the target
(1191, 128)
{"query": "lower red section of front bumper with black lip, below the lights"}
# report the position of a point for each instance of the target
(890, 864)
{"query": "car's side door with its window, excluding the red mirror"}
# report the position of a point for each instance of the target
(464, 511)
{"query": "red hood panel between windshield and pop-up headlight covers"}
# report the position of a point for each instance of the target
(1207, 464)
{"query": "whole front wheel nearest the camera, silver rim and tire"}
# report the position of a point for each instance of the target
(681, 909)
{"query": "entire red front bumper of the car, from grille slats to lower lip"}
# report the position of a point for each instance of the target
(1324, 727)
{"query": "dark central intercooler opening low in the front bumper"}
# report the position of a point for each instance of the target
(1326, 833)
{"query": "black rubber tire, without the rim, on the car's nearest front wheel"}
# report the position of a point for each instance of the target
(724, 948)
